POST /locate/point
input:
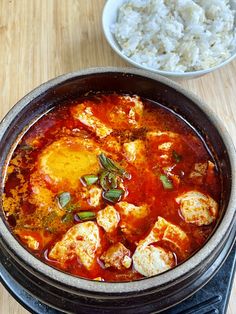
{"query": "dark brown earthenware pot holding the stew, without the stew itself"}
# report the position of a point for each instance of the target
(72, 294)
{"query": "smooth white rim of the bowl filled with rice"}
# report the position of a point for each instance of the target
(115, 46)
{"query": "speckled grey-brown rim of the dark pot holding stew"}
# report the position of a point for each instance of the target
(173, 275)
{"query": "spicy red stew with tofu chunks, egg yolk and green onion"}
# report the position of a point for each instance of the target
(111, 188)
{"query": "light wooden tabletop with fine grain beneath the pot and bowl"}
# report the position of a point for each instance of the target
(41, 39)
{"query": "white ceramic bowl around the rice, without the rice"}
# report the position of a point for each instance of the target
(109, 17)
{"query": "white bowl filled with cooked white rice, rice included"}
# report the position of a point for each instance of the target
(177, 39)
